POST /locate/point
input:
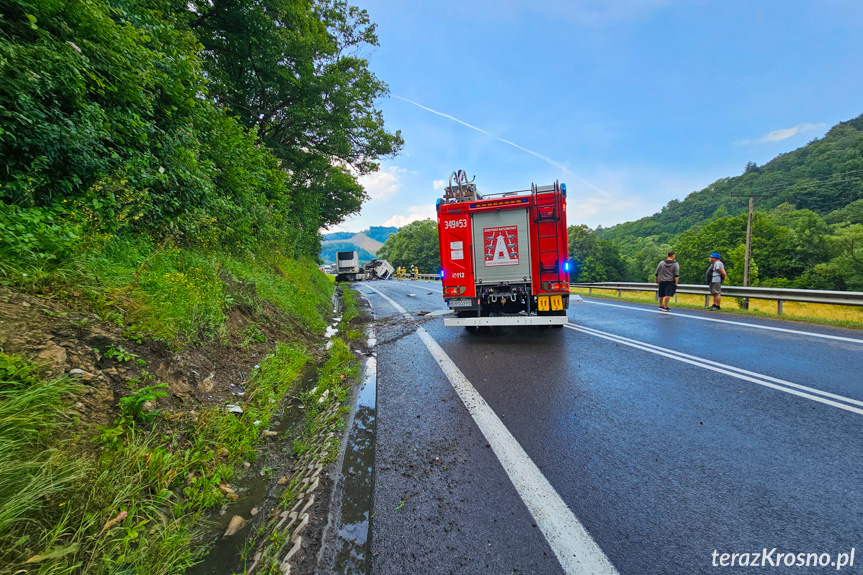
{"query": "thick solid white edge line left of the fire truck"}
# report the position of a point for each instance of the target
(573, 546)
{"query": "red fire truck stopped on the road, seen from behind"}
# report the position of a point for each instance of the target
(504, 257)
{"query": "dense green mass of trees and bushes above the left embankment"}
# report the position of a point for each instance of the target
(237, 123)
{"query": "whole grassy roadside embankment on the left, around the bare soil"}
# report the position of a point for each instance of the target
(126, 497)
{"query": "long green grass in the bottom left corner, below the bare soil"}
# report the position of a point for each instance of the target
(56, 504)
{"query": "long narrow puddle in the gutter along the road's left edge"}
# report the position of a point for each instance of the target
(352, 538)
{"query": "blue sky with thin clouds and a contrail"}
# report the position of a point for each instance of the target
(631, 103)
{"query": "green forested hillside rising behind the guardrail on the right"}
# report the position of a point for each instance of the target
(808, 229)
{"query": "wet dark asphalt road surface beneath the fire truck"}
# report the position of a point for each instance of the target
(698, 432)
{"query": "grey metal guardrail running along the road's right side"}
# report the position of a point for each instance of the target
(779, 295)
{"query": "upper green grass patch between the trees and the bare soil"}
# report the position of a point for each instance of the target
(177, 295)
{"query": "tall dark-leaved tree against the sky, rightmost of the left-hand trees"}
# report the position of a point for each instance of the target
(291, 71)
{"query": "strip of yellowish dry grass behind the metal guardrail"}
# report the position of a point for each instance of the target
(836, 315)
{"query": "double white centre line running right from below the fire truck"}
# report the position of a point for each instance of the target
(767, 381)
